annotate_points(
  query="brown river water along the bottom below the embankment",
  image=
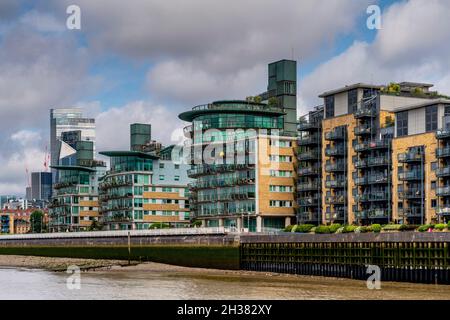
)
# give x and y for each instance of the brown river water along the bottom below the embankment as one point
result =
(25, 284)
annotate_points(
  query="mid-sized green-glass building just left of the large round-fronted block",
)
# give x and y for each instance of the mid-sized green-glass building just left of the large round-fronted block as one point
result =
(144, 186)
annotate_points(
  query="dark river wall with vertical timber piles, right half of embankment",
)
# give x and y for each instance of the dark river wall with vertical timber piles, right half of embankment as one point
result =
(404, 256)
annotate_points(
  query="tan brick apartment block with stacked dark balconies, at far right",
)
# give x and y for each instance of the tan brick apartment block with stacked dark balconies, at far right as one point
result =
(373, 166)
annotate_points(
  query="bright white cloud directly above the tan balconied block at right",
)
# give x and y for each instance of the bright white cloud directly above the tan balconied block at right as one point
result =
(412, 46)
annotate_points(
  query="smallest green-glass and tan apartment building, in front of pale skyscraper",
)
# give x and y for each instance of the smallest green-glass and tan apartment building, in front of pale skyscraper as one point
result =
(75, 204)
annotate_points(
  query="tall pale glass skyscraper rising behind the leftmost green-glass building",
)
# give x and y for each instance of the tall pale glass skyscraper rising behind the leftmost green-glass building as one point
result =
(68, 120)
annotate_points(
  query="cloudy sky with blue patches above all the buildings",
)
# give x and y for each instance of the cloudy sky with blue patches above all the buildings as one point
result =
(148, 60)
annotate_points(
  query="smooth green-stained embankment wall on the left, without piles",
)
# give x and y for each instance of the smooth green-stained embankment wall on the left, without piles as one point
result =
(208, 251)
